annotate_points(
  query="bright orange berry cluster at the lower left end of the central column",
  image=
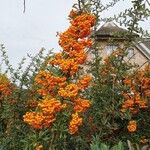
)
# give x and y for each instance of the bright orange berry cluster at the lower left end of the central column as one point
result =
(46, 115)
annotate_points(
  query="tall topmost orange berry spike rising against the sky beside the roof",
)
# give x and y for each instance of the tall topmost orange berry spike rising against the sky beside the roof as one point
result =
(74, 41)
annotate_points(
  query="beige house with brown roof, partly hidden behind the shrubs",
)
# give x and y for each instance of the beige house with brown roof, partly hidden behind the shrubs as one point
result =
(109, 36)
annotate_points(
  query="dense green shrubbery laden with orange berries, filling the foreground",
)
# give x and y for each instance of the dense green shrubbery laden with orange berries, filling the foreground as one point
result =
(62, 101)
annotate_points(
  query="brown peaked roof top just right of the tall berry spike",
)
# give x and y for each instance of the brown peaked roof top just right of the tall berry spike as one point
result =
(111, 30)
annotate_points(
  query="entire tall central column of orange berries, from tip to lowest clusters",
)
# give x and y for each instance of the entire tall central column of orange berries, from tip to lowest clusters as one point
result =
(66, 87)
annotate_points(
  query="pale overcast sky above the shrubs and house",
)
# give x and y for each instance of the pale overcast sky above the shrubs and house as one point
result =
(28, 32)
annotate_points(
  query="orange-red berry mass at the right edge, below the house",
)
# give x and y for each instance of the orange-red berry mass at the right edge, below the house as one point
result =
(138, 94)
